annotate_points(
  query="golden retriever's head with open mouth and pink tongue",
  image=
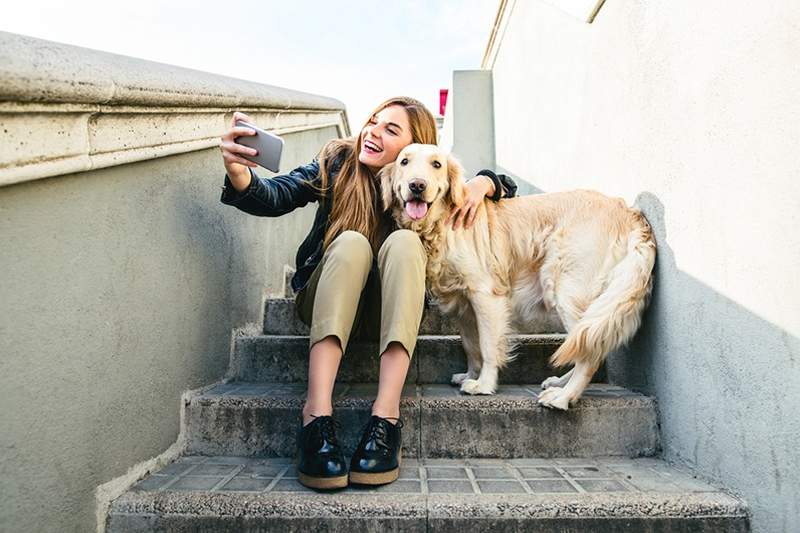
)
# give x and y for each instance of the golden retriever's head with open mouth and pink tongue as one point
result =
(422, 185)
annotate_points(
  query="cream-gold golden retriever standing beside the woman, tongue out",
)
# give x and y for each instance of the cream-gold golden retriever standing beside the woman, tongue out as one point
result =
(580, 254)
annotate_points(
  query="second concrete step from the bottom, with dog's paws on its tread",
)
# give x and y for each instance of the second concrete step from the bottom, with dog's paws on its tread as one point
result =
(261, 419)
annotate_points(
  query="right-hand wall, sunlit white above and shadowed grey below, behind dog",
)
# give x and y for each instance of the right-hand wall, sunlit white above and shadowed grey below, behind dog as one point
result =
(692, 108)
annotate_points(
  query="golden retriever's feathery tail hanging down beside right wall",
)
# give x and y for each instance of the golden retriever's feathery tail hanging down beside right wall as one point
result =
(614, 316)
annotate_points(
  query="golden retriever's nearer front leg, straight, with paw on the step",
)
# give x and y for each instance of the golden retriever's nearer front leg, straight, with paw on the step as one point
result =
(492, 317)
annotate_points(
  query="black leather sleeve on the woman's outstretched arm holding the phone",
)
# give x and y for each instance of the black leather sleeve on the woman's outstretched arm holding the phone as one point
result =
(272, 197)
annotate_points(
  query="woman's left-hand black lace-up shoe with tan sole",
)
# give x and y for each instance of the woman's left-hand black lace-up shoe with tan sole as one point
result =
(321, 464)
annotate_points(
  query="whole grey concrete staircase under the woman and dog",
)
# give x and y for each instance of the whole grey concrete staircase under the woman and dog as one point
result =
(484, 463)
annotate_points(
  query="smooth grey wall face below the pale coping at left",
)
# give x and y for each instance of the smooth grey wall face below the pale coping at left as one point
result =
(120, 290)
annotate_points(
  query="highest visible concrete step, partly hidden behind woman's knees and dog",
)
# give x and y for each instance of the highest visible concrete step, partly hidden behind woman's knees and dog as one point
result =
(280, 318)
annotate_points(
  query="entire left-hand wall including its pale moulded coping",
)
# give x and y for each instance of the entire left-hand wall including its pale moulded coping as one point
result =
(122, 286)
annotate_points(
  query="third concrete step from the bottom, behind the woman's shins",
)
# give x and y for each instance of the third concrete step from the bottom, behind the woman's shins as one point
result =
(284, 358)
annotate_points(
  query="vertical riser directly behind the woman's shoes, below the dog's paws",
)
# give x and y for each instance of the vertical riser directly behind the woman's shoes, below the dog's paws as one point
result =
(434, 431)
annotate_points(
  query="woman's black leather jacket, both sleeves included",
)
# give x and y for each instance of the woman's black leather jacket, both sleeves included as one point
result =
(272, 197)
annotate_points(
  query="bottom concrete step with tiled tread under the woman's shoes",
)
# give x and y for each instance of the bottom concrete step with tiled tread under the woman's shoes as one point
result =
(234, 494)
